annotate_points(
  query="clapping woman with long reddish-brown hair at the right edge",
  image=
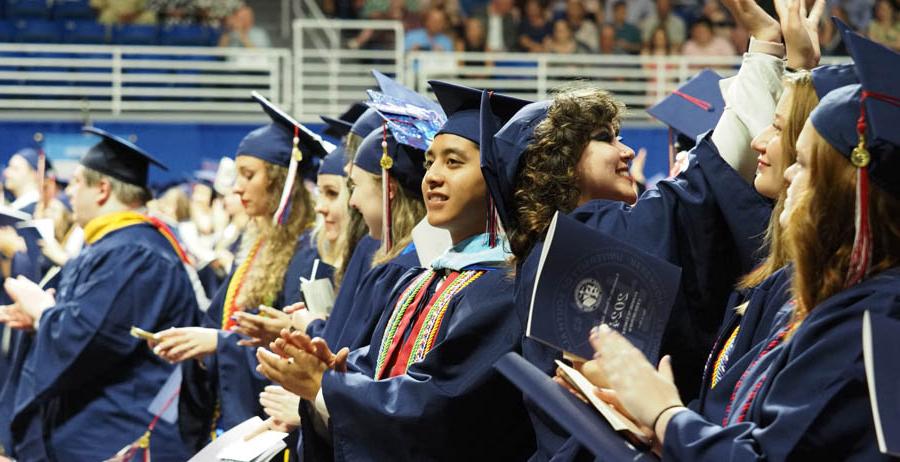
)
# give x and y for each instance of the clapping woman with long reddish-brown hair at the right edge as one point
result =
(804, 396)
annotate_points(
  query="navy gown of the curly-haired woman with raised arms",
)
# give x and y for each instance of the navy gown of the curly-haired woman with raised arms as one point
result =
(708, 221)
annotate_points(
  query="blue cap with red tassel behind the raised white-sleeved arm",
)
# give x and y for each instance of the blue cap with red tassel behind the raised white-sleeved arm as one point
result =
(694, 108)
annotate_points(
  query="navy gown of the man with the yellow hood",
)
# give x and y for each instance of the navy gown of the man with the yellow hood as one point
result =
(86, 384)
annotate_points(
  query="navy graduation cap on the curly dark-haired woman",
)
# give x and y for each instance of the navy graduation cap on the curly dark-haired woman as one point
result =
(507, 128)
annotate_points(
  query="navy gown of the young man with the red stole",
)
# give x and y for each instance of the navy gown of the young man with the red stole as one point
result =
(450, 406)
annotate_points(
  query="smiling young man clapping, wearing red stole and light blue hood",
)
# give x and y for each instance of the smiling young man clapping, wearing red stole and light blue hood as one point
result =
(425, 388)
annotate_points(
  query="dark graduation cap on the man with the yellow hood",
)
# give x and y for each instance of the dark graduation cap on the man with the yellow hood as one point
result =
(119, 158)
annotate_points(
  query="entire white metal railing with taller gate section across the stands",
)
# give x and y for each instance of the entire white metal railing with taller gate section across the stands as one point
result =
(326, 70)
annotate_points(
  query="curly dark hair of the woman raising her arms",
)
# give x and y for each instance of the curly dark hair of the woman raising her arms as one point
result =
(547, 180)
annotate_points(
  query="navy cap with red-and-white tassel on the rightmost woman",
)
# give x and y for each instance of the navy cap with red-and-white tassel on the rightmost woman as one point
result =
(860, 122)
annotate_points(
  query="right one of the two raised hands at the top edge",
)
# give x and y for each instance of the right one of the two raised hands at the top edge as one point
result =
(801, 31)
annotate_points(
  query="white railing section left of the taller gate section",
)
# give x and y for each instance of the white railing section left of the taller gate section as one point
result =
(140, 82)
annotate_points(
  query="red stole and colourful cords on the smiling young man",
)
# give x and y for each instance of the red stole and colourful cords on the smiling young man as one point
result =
(399, 351)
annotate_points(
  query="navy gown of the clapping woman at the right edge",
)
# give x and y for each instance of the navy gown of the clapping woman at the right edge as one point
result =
(811, 398)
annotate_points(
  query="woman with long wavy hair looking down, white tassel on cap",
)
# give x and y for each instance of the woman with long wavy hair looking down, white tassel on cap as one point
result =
(219, 389)
